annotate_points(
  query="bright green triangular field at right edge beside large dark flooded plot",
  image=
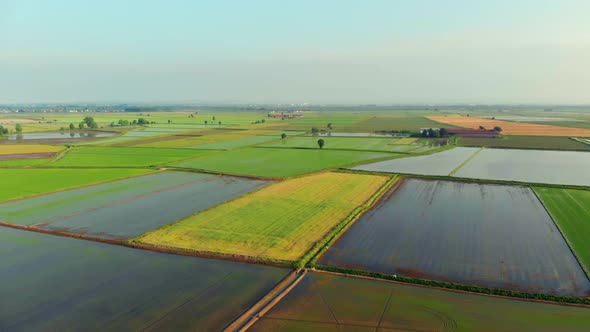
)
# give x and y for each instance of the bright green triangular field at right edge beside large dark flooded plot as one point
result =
(571, 211)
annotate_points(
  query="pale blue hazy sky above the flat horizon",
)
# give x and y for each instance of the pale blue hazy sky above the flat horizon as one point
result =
(319, 52)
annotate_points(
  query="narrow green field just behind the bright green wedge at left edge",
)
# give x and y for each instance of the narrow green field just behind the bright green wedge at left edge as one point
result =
(122, 157)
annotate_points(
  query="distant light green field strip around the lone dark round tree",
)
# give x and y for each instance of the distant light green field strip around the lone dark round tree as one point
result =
(344, 143)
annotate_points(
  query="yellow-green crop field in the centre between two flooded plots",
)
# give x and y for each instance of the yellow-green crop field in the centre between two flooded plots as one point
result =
(280, 222)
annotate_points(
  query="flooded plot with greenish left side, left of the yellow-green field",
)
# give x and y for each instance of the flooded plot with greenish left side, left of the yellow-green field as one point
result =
(127, 208)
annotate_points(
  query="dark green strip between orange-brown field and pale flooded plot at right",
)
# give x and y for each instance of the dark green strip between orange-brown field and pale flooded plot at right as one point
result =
(525, 142)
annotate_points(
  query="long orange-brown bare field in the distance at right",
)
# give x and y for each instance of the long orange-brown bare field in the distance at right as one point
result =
(511, 128)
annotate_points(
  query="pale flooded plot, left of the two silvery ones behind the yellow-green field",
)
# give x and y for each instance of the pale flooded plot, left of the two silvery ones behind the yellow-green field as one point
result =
(441, 163)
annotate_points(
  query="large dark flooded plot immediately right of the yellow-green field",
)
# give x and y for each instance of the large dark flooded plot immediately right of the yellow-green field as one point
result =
(486, 235)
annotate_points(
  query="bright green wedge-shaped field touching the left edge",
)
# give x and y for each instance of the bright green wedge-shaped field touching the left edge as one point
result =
(18, 183)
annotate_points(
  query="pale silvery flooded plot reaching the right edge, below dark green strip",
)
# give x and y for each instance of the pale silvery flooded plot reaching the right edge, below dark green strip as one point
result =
(554, 167)
